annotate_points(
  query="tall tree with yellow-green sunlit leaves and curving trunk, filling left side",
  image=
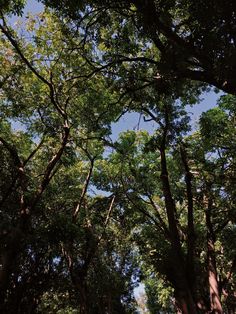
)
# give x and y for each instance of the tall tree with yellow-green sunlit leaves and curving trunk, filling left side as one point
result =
(51, 227)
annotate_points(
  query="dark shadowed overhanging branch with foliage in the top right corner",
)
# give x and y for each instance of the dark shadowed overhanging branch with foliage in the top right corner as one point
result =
(194, 41)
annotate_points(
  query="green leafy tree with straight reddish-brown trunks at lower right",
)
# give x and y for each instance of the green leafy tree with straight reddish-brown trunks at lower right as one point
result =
(174, 207)
